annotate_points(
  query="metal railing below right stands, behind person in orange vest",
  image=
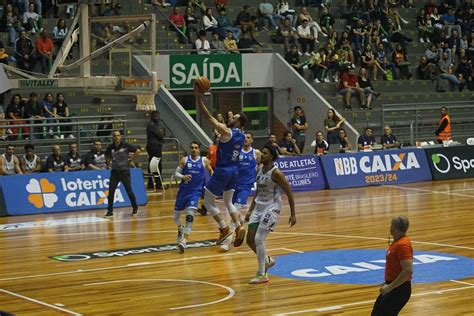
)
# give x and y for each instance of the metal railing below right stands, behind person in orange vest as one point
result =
(418, 121)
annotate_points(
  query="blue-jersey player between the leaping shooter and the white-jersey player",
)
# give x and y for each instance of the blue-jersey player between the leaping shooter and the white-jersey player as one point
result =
(248, 160)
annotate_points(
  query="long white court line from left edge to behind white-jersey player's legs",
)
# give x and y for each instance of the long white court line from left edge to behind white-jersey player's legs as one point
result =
(128, 265)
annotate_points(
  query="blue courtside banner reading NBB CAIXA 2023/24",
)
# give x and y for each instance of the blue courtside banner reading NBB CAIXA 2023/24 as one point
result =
(375, 168)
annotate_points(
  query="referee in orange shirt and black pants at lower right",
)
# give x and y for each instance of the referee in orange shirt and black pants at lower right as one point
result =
(396, 290)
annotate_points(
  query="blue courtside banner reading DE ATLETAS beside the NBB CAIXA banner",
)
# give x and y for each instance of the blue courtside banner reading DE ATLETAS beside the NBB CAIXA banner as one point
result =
(304, 173)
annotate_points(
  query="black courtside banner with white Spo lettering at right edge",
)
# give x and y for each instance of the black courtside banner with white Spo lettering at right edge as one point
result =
(451, 162)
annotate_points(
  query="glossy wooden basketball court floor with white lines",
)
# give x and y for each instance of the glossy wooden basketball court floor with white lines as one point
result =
(206, 281)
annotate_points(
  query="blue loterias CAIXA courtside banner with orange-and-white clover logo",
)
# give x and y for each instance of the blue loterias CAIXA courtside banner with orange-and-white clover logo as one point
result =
(65, 191)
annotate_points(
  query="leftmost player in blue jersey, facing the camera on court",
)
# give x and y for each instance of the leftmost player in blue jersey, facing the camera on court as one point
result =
(191, 171)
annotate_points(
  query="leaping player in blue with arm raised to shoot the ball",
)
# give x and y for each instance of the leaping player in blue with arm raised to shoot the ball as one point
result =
(222, 182)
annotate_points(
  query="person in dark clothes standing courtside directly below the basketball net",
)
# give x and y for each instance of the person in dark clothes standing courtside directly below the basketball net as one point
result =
(155, 133)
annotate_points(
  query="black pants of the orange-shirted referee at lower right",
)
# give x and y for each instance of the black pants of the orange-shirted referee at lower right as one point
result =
(392, 303)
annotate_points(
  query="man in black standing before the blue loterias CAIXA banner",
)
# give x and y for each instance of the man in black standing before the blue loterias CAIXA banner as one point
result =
(118, 157)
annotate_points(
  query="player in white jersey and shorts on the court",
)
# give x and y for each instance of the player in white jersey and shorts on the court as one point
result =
(265, 210)
